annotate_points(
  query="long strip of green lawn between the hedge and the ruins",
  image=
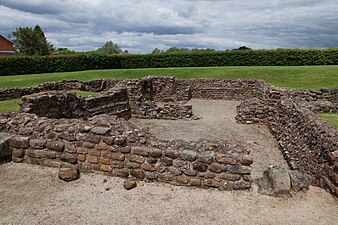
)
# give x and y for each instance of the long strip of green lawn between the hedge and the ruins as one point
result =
(300, 77)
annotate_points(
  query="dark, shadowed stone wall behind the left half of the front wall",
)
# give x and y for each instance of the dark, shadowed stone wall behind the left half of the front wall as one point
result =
(69, 105)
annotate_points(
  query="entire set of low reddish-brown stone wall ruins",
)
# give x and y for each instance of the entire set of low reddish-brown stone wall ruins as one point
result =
(61, 129)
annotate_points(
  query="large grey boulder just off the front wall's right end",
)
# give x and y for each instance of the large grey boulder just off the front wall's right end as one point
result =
(275, 182)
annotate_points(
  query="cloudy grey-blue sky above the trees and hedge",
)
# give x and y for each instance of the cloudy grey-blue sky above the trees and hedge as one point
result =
(139, 26)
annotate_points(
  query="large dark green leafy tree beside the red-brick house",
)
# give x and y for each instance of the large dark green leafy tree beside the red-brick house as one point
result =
(29, 41)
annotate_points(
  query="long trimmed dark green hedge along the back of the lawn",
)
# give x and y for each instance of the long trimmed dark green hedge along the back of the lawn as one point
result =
(284, 57)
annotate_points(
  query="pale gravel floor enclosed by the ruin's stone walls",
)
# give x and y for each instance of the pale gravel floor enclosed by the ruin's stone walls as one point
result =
(218, 122)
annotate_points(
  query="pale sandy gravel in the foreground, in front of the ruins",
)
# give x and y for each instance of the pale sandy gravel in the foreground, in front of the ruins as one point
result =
(34, 195)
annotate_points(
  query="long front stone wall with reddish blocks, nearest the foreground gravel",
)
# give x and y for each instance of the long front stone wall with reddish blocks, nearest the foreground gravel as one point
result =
(117, 147)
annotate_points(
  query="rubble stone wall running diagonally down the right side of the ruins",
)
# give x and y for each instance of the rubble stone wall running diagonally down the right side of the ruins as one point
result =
(307, 143)
